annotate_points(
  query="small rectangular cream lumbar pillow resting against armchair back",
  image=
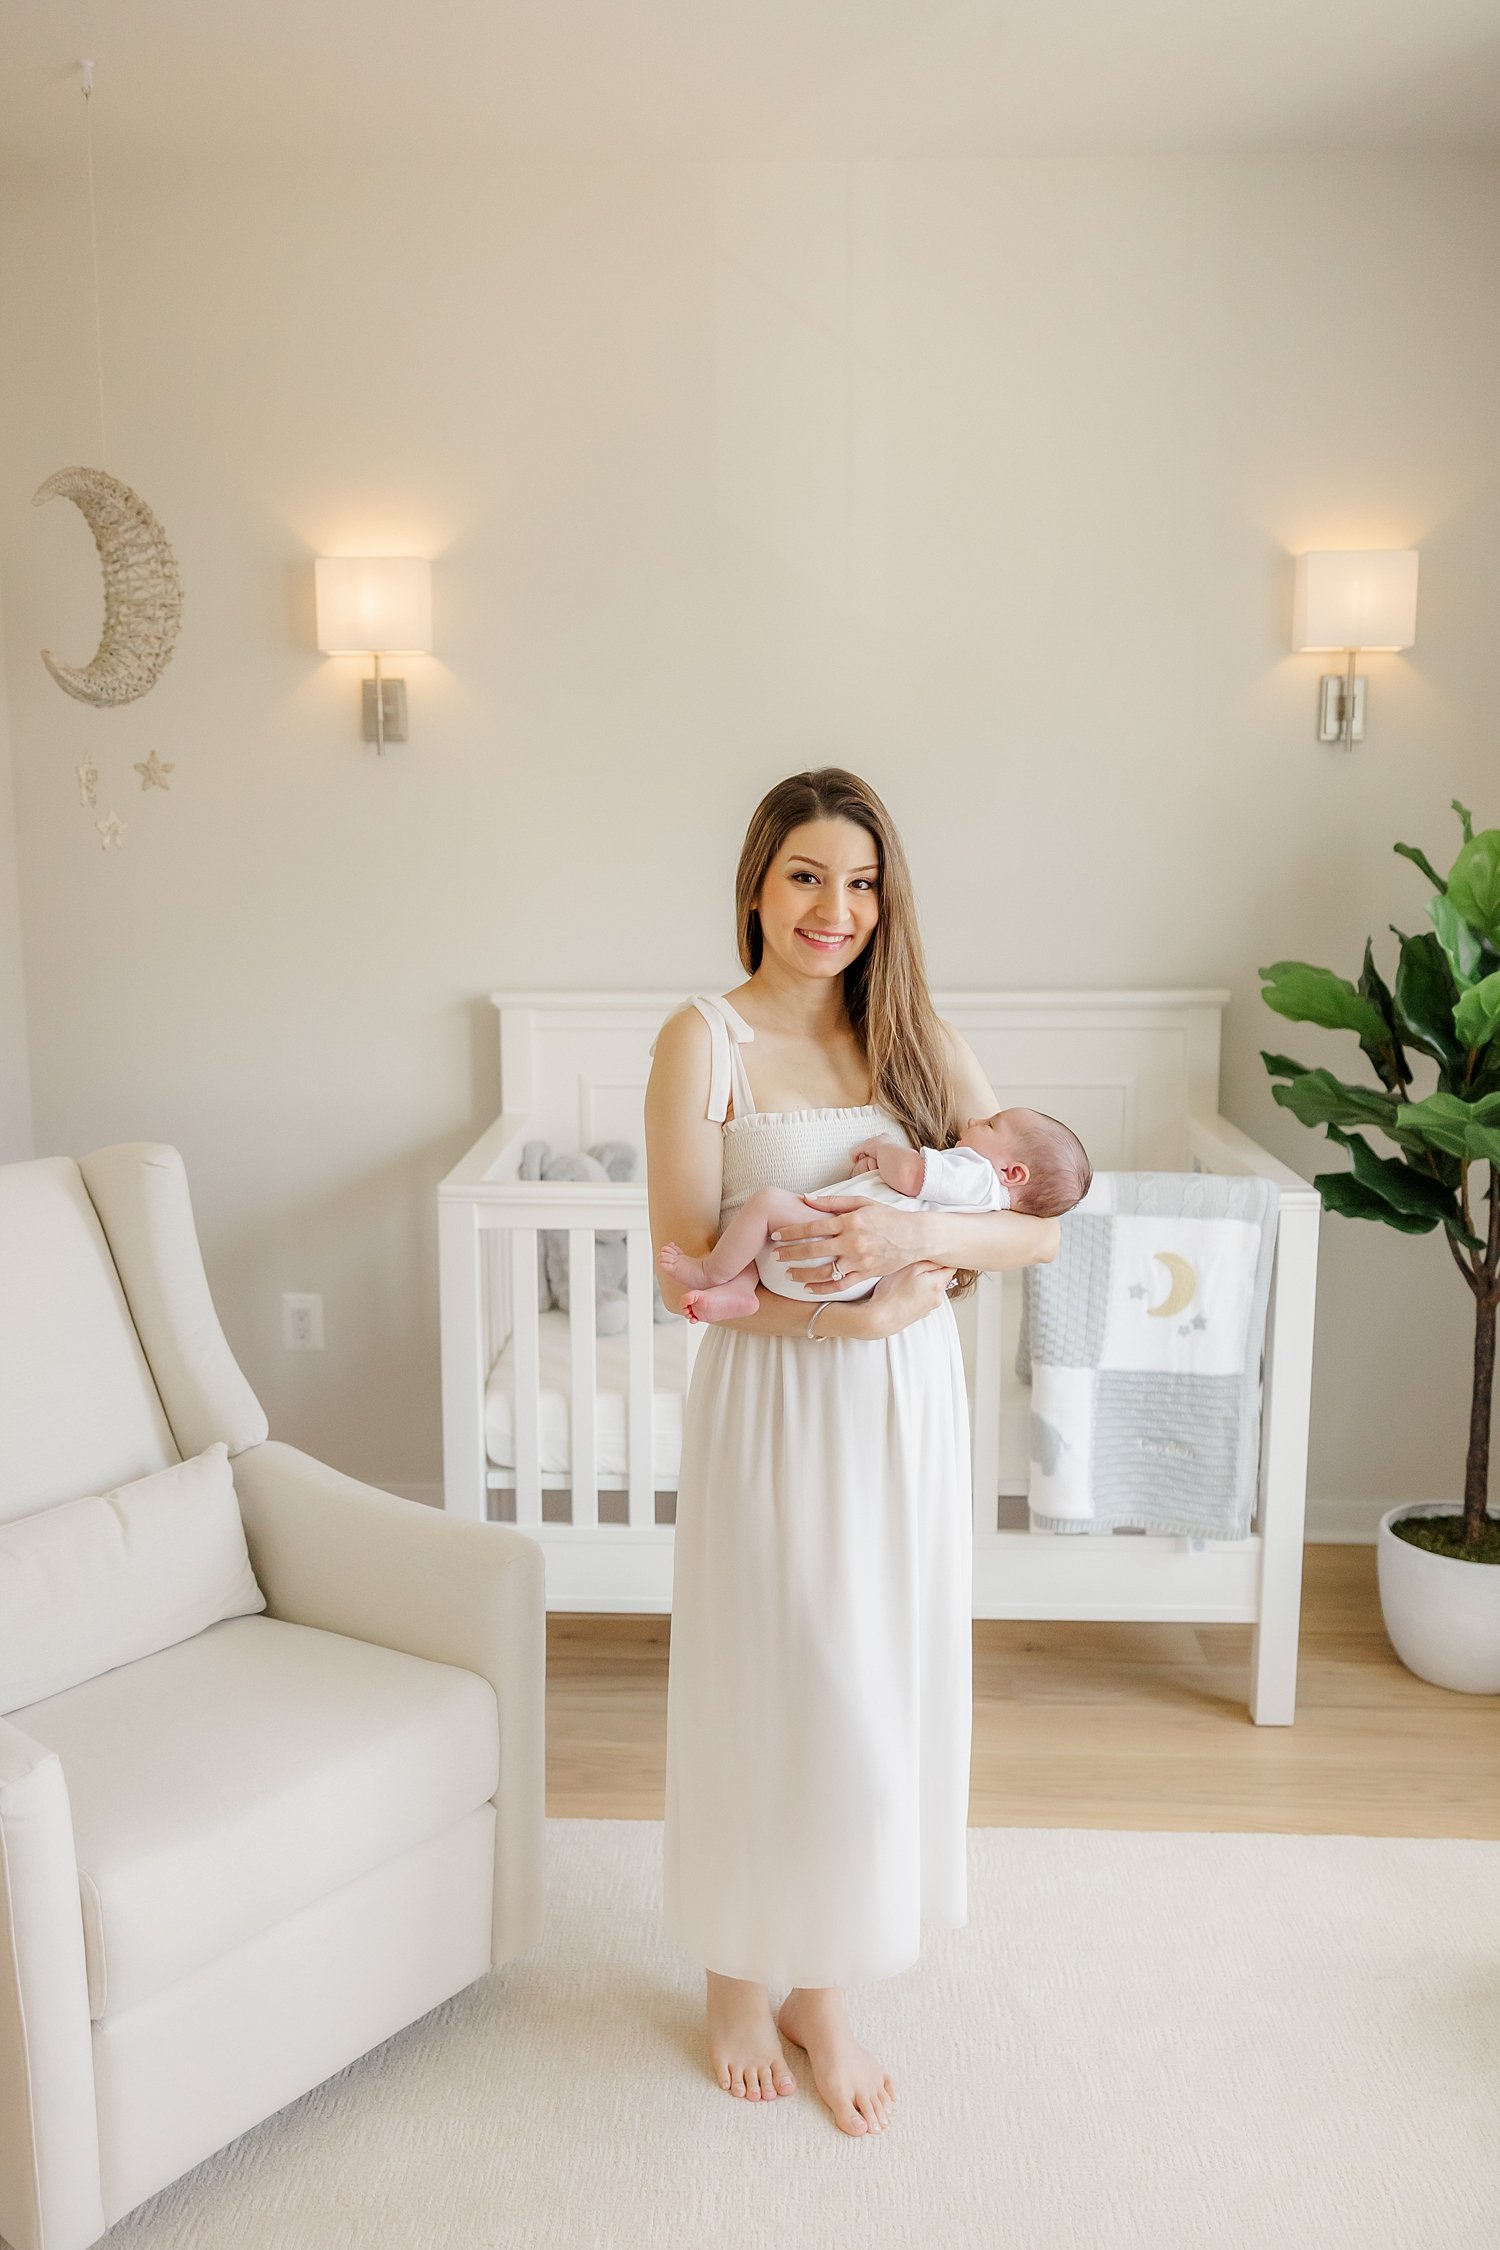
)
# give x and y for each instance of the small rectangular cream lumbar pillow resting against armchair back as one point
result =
(98, 1583)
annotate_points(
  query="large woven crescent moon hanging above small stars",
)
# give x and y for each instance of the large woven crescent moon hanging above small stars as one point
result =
(143, 595)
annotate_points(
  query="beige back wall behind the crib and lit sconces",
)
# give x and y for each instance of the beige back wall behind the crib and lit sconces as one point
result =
(977, 476)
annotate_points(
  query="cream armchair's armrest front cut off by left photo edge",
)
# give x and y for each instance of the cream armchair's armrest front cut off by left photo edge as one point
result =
(48, 2127)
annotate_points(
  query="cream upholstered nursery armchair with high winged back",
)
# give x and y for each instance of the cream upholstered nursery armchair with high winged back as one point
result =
(233, 1866)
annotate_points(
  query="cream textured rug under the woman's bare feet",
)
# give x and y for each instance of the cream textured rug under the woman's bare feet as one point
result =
(1139, 2040)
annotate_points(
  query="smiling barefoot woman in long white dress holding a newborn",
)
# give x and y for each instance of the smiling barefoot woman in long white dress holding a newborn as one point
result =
(820, 1686)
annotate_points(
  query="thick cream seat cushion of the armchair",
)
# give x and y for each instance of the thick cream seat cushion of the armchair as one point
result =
(244, 1774)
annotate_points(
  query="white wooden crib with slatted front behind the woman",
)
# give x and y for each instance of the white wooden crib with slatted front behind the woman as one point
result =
(575, 1437)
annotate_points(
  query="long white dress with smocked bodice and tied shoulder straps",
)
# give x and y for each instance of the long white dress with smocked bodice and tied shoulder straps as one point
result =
(820, 1689)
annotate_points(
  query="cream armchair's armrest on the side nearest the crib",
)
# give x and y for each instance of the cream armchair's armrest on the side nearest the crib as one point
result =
(352, 1560)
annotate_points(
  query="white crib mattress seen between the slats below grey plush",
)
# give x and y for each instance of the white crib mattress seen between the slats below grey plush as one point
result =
(613, 1392)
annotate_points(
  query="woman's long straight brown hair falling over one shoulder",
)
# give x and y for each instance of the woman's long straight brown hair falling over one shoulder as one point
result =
(885, 989)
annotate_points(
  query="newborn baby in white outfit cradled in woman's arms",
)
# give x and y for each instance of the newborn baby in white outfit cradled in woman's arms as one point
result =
(1020, 1160)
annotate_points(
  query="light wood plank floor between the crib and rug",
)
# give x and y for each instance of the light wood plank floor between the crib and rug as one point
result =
(1130, 1727)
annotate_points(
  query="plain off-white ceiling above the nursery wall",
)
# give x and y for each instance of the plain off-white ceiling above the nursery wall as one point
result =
(746, 78)
